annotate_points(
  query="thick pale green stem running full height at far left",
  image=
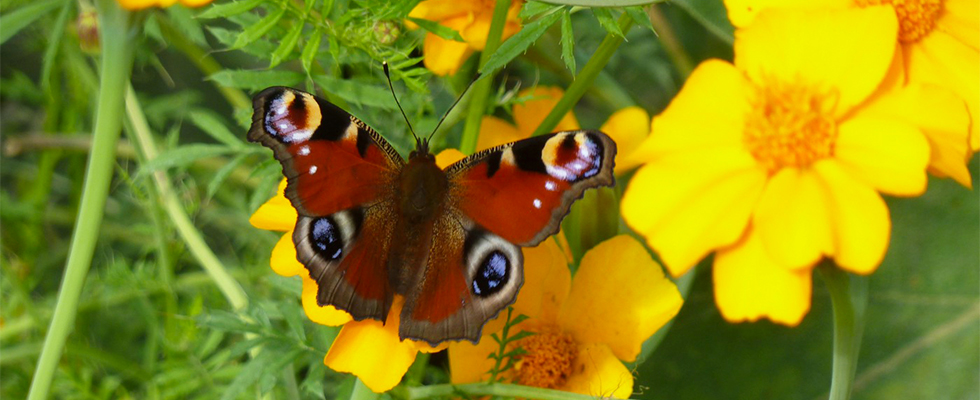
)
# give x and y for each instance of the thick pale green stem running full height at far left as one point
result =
(118, 42)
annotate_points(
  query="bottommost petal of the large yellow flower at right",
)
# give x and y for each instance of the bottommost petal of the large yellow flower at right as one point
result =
(749, 285)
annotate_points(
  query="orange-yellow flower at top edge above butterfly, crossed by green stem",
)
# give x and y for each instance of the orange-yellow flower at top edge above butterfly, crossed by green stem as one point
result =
(471, 18)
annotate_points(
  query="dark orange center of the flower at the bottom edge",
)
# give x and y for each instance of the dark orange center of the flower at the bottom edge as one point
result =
(547, 361)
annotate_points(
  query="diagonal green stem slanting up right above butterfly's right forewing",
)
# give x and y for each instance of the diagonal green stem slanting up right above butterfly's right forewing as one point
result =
(585, 78)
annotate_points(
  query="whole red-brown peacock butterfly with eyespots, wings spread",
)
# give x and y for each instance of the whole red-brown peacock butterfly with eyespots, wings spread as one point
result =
(372, 224)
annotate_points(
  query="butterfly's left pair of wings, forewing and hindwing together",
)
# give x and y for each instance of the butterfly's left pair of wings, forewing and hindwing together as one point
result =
(339, 177)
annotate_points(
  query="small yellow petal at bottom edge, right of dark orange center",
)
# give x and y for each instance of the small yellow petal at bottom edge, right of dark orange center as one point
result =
(597, 373)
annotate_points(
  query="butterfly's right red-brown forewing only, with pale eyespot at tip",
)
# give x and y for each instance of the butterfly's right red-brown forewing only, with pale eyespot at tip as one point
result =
(522, 190)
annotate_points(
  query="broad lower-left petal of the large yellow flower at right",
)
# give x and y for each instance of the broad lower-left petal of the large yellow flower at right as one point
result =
(687, 206)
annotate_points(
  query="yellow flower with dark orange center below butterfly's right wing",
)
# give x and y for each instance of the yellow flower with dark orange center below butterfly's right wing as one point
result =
(583, 327)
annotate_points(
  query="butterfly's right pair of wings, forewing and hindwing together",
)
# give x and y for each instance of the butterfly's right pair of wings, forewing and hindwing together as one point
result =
(501, 198)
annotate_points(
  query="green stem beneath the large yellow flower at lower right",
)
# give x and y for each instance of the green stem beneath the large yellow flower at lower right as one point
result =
(849, 295)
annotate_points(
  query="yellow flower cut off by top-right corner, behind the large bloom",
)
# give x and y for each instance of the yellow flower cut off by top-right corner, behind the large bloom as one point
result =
(939, 44)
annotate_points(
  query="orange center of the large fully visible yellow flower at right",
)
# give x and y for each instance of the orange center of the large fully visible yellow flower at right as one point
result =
(790, 124)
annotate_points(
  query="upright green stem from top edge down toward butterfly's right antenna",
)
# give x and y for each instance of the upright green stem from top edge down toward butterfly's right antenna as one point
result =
(481, 89)
